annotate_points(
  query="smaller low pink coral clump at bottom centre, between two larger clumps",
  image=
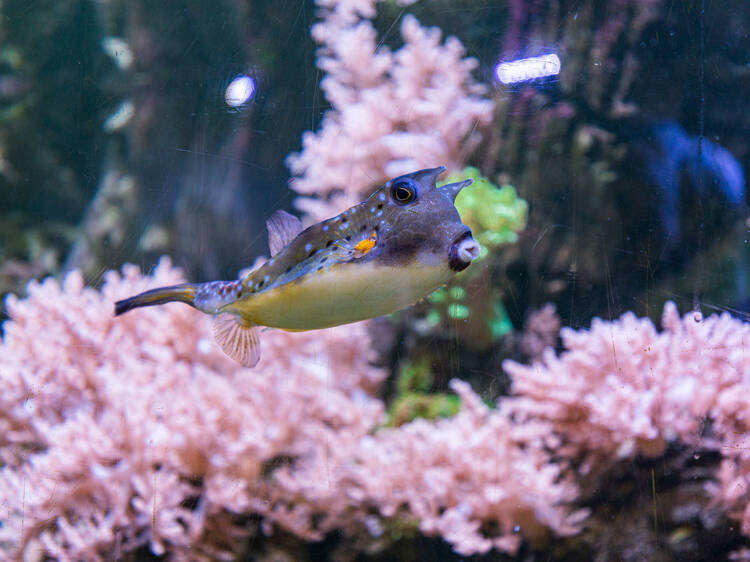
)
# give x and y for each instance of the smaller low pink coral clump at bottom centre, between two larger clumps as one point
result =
(476, 479)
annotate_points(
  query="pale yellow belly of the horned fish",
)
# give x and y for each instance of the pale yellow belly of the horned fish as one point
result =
(341, 294)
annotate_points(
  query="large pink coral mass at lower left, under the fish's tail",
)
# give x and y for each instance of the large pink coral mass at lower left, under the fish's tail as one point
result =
(111, 428)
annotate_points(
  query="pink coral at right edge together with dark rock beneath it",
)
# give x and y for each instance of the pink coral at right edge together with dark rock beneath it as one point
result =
(628, 402)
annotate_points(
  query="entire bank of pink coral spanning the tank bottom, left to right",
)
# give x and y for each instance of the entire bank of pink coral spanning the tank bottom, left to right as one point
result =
(134, 433)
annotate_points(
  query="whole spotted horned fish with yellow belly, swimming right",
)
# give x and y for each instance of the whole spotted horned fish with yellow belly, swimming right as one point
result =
(375, 258)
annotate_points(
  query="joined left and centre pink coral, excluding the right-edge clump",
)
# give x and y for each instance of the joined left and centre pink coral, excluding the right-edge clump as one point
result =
(120, 433)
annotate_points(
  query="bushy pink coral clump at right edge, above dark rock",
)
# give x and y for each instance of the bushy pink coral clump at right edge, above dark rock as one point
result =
(623, 388)
